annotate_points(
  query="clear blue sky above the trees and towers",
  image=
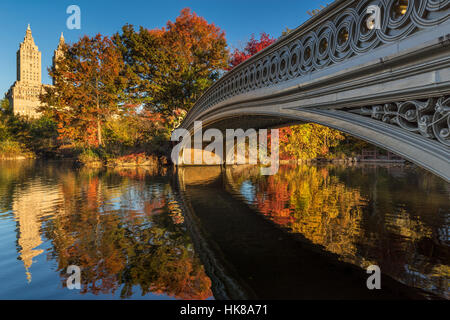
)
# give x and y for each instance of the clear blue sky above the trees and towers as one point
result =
(238, 18)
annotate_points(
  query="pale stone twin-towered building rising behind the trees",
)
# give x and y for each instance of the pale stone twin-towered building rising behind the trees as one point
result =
(24, 94)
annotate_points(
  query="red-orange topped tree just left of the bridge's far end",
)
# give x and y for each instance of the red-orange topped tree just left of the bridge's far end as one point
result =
(198, 53)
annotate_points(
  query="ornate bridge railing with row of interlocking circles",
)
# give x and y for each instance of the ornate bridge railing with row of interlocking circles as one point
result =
(337, 33)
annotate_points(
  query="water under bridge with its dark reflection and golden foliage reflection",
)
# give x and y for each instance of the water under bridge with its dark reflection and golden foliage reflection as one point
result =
(329, 227)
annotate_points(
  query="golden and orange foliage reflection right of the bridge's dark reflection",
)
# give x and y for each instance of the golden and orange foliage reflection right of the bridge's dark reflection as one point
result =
(394, 216)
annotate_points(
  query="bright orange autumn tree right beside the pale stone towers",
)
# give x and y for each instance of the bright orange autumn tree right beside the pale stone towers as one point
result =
(89, 85)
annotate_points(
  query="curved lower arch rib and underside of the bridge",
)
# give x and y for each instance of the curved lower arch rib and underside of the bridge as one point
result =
(429, 154)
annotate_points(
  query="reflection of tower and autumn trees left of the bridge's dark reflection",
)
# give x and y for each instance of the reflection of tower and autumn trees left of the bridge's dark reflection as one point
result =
(123, 228)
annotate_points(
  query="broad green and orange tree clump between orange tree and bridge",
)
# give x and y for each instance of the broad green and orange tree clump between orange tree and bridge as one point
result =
(173, 66)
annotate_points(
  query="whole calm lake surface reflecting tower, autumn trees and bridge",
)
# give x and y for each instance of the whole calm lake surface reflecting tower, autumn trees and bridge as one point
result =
(205, 233)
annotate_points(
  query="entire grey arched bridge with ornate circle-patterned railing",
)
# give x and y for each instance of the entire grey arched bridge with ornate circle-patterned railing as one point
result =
(388, 84)
